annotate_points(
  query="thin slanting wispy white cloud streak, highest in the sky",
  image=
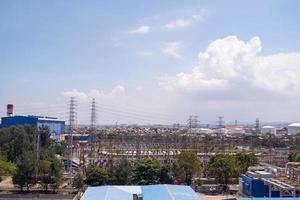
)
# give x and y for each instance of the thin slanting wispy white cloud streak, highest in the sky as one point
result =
(182, 23)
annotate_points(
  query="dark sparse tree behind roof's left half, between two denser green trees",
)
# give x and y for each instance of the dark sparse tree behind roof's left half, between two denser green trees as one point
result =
(119, 174)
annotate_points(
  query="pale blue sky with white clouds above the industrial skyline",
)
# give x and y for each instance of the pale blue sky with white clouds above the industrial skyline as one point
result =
(150, 62)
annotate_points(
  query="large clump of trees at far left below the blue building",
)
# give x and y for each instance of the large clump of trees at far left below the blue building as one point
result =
(17, 157)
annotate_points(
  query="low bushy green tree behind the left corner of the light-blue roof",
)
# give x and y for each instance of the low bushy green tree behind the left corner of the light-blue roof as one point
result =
(96, 176)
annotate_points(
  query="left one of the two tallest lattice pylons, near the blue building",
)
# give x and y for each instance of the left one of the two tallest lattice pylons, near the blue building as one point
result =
(72, 120)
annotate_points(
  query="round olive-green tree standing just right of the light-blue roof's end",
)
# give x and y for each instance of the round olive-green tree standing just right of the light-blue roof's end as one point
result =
(223, 167)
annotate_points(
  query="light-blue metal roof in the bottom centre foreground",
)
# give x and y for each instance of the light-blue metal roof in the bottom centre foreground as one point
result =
(148, 192)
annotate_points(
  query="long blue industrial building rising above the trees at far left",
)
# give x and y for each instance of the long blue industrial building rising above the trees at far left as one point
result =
(55, 126)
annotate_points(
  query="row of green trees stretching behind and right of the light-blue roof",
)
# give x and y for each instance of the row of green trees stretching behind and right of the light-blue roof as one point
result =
(183, 170)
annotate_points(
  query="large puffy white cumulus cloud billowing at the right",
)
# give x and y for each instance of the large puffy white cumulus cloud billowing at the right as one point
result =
(228, 63)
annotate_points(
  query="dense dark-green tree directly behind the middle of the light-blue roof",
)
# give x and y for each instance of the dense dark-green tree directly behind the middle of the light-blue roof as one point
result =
(145, 172)
